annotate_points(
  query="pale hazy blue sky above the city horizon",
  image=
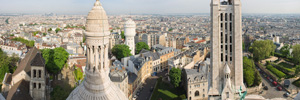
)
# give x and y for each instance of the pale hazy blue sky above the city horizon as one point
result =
(144, 6)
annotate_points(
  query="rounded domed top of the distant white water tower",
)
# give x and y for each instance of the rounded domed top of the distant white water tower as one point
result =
(129, 27)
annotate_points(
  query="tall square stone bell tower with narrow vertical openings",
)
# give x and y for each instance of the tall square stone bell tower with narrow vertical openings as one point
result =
(226, 75)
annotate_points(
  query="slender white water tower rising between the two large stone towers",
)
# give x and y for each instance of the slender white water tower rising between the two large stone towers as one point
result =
(129, 33)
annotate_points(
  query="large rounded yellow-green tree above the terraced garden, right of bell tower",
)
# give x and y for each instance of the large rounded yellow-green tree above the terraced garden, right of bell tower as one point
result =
(262, 49)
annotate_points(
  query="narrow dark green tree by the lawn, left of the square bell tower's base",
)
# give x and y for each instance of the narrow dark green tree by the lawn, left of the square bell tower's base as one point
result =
(175, 76)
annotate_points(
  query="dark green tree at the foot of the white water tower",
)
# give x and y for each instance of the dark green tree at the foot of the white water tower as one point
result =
(121, 51)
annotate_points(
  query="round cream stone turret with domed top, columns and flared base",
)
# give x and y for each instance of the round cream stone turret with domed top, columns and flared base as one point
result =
(97, 85)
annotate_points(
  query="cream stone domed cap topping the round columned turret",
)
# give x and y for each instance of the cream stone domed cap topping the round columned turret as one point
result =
(97, 21)
